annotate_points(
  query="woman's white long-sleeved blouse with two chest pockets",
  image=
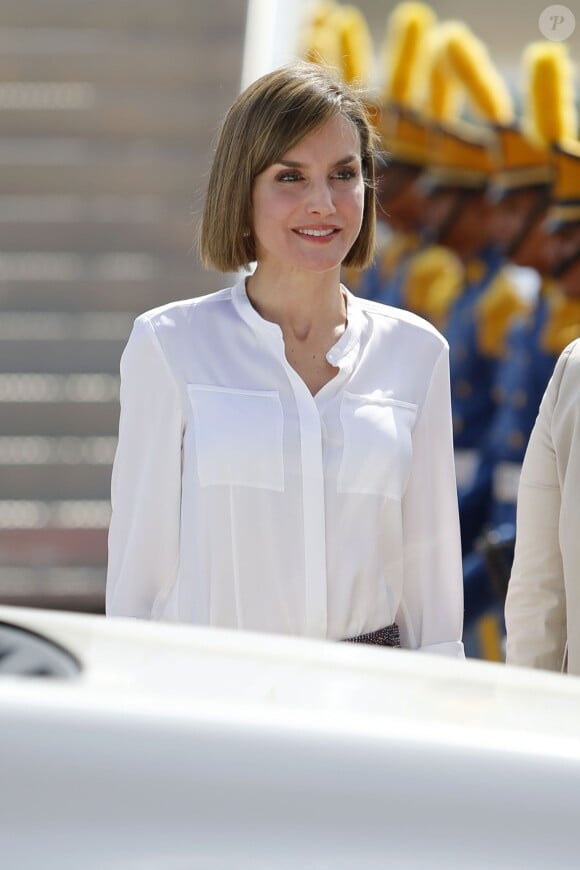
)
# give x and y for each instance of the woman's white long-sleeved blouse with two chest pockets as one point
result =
(242, 501)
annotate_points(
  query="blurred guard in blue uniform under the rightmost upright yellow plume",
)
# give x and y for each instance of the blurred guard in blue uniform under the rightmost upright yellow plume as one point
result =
(522, 188)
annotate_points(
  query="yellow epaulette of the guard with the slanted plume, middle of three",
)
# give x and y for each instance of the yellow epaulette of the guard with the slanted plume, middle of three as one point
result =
(495, 312)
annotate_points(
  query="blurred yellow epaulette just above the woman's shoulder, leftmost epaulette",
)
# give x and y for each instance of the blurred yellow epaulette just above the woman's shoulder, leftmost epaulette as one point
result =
(434, 279)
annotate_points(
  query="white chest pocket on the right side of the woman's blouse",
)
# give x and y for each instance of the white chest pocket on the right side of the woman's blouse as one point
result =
(377, 444)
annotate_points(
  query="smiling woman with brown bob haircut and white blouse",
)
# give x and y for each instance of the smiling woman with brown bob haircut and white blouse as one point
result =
(285, 457)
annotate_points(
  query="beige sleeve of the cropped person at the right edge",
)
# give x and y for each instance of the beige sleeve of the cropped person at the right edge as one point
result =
(535, 605)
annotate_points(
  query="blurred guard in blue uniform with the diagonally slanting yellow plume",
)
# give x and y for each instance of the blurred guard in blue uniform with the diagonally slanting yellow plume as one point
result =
(460, 215)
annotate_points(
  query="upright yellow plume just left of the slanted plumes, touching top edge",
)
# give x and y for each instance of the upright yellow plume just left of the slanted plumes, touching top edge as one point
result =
(403, 55)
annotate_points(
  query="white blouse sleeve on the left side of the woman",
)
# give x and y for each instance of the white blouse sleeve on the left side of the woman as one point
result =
(146, 481)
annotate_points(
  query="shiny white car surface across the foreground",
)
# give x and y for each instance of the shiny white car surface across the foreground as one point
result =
(188, 747)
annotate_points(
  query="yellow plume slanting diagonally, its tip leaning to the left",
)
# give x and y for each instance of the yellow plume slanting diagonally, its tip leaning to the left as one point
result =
(469, 61)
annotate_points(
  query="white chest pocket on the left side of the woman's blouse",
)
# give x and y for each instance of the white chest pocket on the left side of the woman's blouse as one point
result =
(239, 436)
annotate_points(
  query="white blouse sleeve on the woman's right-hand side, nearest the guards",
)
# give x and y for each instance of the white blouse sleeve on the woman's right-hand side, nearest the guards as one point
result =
(431, 613)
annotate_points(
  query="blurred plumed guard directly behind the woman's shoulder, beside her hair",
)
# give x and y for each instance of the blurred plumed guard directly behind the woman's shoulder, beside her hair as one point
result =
(411, 272)
